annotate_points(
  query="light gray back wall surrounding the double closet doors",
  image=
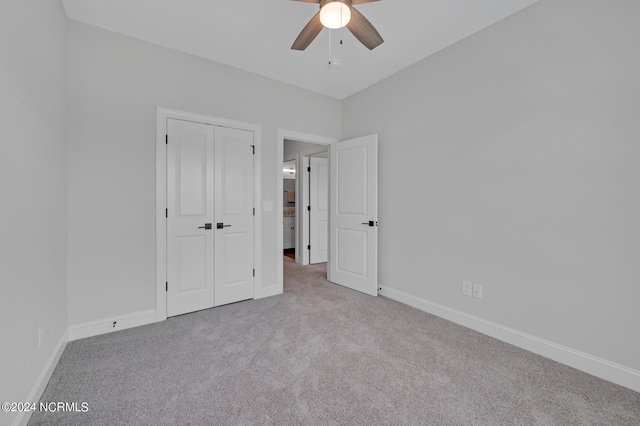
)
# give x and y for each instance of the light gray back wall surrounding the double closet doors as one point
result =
(115, 85)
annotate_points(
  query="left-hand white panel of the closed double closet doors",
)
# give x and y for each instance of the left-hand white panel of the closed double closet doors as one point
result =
(190, 205)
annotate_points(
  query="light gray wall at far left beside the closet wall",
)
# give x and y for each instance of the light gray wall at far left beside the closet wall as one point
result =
(33, 181)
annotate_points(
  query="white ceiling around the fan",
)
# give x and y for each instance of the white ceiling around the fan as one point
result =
(256, 35)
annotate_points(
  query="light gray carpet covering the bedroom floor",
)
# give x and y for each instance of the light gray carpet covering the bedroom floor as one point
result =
(321, 354)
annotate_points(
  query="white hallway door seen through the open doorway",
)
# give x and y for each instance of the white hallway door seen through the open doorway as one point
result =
(319, 212)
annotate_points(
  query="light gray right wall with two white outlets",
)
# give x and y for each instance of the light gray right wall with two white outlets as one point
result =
(511, 160)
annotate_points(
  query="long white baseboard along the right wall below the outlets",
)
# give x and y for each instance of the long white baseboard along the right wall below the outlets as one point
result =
(590, 364)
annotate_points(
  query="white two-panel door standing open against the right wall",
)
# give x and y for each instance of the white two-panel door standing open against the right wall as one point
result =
(353, 214)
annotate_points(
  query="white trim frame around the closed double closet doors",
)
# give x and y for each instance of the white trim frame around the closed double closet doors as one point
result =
(162, 114)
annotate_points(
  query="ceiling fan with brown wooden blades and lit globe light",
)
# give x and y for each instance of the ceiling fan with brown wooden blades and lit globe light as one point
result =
(337, 14)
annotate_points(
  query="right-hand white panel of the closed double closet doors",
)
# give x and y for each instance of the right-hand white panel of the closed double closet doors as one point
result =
(233, 215)
